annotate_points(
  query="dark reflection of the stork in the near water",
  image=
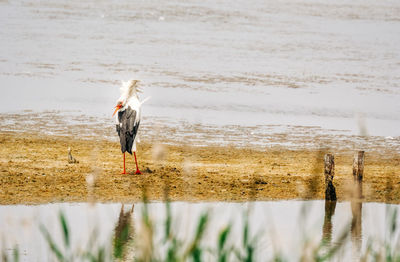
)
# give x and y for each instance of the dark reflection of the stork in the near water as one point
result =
(123, 233)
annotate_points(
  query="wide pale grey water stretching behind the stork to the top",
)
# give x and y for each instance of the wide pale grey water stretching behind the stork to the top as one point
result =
(334, 66)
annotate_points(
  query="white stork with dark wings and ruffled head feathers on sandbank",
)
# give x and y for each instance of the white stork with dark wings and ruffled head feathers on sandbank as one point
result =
(128, 114)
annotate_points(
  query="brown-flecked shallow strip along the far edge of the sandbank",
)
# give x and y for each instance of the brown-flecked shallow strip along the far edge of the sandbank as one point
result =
(161, 130)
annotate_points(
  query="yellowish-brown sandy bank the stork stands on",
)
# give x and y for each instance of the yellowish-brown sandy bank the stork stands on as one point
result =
(34, 169)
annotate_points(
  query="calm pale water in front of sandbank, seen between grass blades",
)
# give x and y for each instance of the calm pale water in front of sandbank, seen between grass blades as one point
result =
(281, 225)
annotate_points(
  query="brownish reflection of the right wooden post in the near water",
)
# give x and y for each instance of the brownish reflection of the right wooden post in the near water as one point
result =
(356, 229)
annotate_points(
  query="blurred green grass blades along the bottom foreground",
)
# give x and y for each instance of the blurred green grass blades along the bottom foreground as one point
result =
(143, 246)
